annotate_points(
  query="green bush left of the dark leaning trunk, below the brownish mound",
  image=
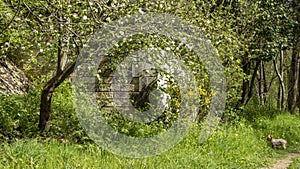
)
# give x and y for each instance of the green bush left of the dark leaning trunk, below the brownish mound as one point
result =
(19, 114)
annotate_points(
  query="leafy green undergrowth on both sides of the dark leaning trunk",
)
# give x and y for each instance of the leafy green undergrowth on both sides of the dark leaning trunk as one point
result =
(20, 115)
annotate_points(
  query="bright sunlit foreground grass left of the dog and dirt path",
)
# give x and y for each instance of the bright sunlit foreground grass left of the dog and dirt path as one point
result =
(224, 149)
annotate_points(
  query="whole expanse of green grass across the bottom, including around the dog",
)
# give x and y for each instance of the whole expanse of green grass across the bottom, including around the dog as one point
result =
(239, 146)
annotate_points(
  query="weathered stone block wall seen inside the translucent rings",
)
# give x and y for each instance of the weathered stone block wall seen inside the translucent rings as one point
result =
(119, 88)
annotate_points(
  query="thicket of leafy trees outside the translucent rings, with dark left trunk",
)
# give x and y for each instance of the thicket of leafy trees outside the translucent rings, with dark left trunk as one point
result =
(258, 42)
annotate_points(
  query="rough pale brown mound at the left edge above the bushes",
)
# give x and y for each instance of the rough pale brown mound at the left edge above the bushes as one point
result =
(12, 79)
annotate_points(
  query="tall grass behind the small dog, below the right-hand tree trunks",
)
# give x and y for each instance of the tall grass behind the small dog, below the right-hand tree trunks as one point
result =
(280, 124)
